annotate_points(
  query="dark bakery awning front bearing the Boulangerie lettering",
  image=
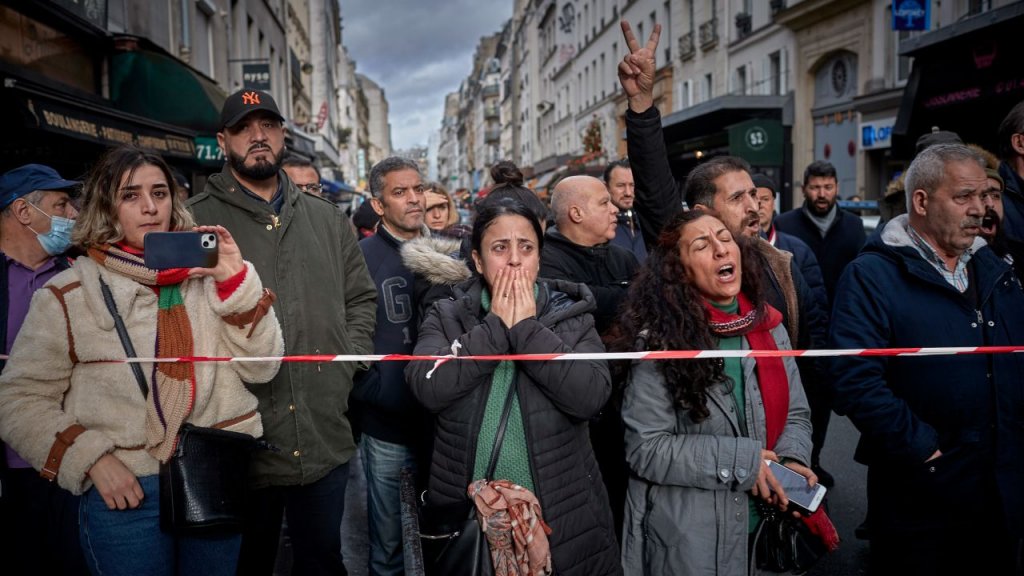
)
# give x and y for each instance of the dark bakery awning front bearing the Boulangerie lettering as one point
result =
(92, 120)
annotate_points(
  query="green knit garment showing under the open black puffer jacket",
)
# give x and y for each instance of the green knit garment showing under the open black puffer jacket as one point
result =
(514, 462)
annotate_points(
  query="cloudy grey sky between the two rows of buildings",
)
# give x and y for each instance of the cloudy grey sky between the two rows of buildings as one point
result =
(418, 51)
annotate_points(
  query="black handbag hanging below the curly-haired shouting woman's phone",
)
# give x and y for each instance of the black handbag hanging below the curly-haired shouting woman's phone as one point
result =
(784, 544)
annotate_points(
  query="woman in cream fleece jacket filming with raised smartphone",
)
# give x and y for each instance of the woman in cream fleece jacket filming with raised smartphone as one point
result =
(83, 420)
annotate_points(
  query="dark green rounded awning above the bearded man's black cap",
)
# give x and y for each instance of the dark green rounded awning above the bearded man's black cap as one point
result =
(149, 83)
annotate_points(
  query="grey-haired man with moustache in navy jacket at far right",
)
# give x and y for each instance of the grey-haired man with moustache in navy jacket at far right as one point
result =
(941, 435)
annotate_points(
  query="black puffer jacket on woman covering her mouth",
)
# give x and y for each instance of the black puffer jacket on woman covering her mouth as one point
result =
(557, 398)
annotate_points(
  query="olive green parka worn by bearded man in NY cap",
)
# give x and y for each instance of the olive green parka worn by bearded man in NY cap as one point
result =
(327, 304)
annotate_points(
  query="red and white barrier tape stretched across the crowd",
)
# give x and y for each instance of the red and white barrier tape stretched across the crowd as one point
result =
(654, 355)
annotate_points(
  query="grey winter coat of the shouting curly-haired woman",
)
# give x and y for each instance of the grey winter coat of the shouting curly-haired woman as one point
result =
(687, 509)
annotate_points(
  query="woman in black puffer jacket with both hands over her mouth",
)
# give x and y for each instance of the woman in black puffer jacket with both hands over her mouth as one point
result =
(507, 310)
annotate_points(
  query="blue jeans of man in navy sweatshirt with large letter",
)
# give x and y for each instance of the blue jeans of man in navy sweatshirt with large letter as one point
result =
(383, 463)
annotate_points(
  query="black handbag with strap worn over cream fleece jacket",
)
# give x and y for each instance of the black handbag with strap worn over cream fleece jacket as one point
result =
(203, 486)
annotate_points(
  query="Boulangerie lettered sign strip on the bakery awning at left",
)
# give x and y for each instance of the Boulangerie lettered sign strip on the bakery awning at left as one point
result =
(107, 132)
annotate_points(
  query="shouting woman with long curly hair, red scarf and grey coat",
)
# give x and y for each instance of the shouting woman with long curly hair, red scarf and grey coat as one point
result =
(700, 432)
